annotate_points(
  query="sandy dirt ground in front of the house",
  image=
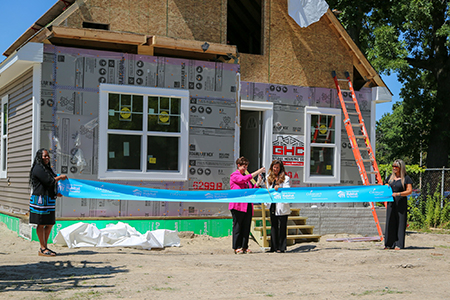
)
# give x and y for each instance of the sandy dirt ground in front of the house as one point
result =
(206, 268)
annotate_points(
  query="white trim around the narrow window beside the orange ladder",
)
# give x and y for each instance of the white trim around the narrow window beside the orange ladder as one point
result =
(336, 177)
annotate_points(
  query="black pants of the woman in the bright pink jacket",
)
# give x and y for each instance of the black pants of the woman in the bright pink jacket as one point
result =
(241, 227)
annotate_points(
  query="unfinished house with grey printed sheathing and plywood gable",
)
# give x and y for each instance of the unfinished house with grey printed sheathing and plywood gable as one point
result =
(167, 94)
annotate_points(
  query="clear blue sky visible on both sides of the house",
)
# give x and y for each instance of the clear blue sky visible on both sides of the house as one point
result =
(18, 16)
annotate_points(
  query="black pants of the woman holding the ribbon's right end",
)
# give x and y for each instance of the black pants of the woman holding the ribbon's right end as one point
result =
(396, 218)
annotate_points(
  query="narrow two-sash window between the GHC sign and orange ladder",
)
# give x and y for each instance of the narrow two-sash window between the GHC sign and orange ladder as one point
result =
(322, 145)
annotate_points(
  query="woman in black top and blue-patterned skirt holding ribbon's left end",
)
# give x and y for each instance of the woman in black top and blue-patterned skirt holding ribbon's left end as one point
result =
(42, 201)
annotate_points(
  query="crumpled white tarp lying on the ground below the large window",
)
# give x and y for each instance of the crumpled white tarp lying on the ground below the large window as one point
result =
(115, 235)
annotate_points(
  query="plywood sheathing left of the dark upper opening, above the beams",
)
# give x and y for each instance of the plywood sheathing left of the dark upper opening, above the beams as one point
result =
(203, 20)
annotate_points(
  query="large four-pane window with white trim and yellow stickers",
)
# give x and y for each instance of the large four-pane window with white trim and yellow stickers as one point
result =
(143, 133)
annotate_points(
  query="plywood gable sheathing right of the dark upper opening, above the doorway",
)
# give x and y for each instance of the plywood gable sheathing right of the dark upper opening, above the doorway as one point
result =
(295, 55)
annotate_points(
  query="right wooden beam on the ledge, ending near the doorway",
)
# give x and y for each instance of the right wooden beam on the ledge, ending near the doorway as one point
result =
(190, 45)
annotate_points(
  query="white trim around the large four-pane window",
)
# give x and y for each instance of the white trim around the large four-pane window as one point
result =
(180, 175)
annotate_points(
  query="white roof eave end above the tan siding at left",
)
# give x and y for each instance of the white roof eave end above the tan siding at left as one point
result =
(20, 61)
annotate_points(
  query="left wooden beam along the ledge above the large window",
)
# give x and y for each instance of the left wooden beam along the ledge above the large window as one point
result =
(98, 35)
